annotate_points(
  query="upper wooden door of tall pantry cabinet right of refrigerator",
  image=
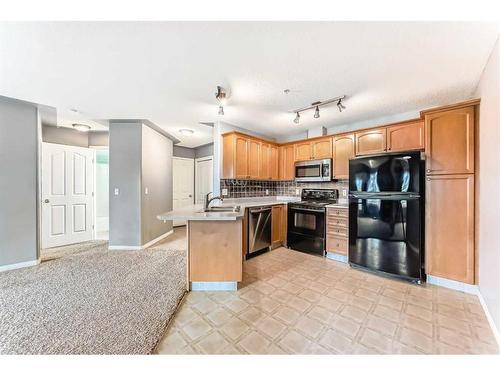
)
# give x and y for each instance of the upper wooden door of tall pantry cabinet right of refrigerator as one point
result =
(449, 141)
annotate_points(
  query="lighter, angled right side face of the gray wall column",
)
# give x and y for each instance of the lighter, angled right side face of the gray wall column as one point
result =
(157, 178)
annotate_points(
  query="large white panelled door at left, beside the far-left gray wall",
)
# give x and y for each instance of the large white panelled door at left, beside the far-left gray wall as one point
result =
(67, 194)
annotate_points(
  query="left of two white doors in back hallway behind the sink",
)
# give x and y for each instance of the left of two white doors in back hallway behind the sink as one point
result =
(183, 184)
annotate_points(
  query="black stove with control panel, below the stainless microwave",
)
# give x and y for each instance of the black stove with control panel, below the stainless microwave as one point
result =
(306, 220)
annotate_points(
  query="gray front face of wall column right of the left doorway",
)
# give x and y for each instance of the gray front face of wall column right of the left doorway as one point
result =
(125, 154)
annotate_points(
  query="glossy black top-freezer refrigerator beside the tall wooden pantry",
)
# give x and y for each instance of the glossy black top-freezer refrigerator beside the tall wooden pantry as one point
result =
(386, 214)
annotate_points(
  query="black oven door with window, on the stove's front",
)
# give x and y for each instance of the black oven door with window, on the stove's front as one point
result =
(306, 229)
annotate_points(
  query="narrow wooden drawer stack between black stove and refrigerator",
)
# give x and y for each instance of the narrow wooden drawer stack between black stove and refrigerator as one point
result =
(337, 227)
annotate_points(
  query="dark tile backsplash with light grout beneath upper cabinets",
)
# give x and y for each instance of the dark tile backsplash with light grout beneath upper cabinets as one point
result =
(251, 188)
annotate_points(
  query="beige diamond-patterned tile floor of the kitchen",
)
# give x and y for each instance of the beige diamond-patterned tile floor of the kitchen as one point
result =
(295, 303)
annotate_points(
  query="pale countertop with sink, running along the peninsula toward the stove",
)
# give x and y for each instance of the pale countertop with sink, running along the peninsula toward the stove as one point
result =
(195, 212)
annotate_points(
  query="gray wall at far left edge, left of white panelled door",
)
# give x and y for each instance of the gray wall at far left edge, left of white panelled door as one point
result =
(18, 181)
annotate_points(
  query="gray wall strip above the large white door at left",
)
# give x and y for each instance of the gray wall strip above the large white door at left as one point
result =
(72, 137)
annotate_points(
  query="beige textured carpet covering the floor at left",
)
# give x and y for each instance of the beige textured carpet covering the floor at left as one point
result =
(92, 301)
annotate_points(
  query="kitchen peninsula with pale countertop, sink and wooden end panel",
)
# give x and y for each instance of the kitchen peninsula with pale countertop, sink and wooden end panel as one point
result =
(216, 242)
